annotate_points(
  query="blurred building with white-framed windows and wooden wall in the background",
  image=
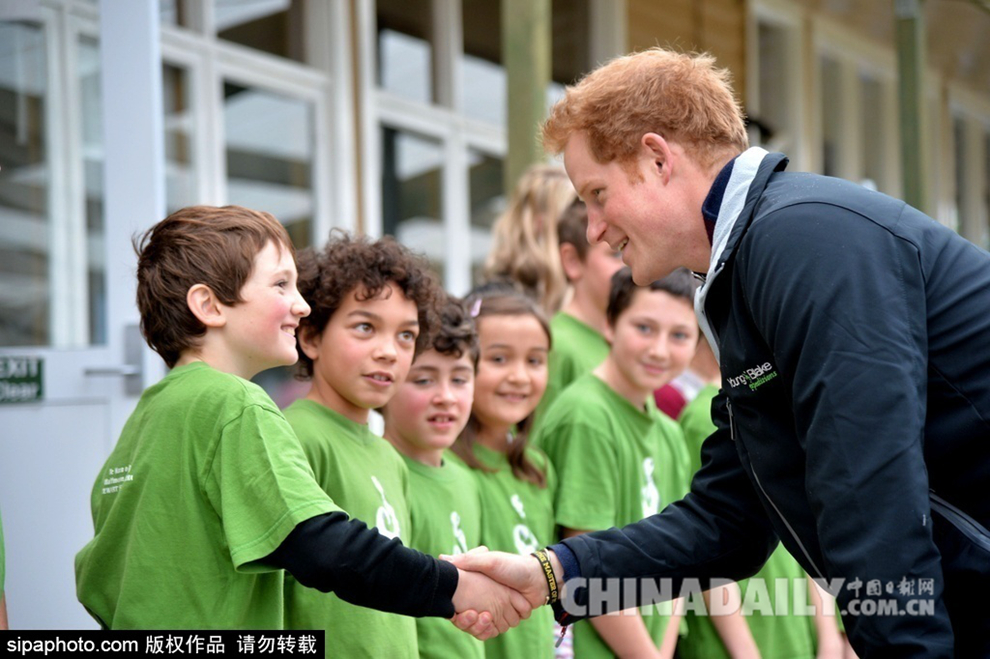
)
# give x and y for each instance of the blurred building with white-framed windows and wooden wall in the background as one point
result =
(387, 117)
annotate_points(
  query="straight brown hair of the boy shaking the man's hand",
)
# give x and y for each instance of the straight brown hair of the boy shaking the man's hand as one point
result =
(214, 246)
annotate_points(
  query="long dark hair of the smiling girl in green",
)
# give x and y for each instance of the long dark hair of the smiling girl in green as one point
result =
(500, 299)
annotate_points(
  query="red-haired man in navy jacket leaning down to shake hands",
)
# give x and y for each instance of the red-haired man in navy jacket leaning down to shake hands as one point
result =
(853, 340)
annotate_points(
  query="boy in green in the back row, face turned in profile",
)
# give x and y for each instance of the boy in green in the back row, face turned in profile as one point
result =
(578, 329)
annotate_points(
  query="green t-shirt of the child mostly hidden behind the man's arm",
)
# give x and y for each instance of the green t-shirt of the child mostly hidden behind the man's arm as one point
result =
(777, 636)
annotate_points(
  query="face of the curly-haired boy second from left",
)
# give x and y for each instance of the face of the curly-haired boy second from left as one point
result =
(364, 352)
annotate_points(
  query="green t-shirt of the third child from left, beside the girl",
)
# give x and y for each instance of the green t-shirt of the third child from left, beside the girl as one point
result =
(445, 507)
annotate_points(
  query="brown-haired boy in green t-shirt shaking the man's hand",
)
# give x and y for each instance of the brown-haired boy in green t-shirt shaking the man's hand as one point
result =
(207, 496)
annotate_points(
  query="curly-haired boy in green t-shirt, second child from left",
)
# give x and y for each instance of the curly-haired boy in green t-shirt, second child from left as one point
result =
(373, 307)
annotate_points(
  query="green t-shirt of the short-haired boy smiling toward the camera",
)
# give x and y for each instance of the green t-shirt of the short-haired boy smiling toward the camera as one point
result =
(616, 465)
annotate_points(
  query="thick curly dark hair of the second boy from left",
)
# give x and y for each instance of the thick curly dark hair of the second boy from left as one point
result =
(366, 268)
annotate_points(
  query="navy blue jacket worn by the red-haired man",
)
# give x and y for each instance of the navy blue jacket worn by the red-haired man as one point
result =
(853, 335)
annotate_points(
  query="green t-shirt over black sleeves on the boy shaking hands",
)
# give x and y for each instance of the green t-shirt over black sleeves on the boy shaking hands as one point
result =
(206, 480)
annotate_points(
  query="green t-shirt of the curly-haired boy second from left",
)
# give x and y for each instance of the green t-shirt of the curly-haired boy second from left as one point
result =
(368, 479)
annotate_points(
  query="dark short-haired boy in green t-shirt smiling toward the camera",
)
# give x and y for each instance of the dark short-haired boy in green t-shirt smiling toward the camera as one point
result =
(618, 458)
